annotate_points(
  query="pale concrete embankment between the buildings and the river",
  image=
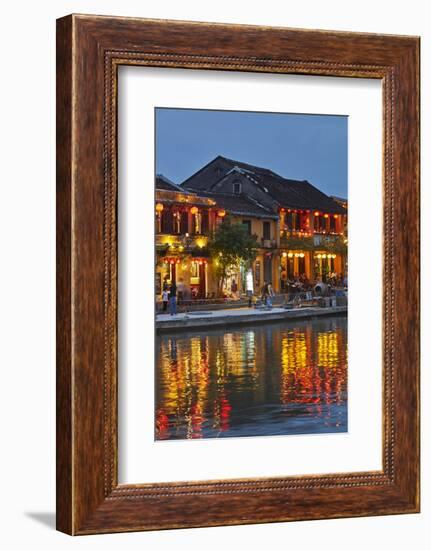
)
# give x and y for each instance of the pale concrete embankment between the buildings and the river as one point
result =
(240, 316)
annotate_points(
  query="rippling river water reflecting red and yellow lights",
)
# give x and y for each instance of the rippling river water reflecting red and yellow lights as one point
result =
(273, 379)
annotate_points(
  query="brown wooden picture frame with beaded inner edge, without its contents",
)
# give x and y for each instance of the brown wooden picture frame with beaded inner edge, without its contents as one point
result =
(89, 51)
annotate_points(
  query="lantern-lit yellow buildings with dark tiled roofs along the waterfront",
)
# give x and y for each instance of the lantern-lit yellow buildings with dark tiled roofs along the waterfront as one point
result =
(301, 232)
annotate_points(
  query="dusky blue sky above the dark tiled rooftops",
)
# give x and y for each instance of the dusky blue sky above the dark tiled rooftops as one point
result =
(303, 147)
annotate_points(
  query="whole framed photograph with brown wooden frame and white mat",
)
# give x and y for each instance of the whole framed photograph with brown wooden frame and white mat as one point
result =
(237, 274)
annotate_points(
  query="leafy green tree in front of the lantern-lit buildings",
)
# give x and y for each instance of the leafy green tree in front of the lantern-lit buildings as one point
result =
(230, 247)
